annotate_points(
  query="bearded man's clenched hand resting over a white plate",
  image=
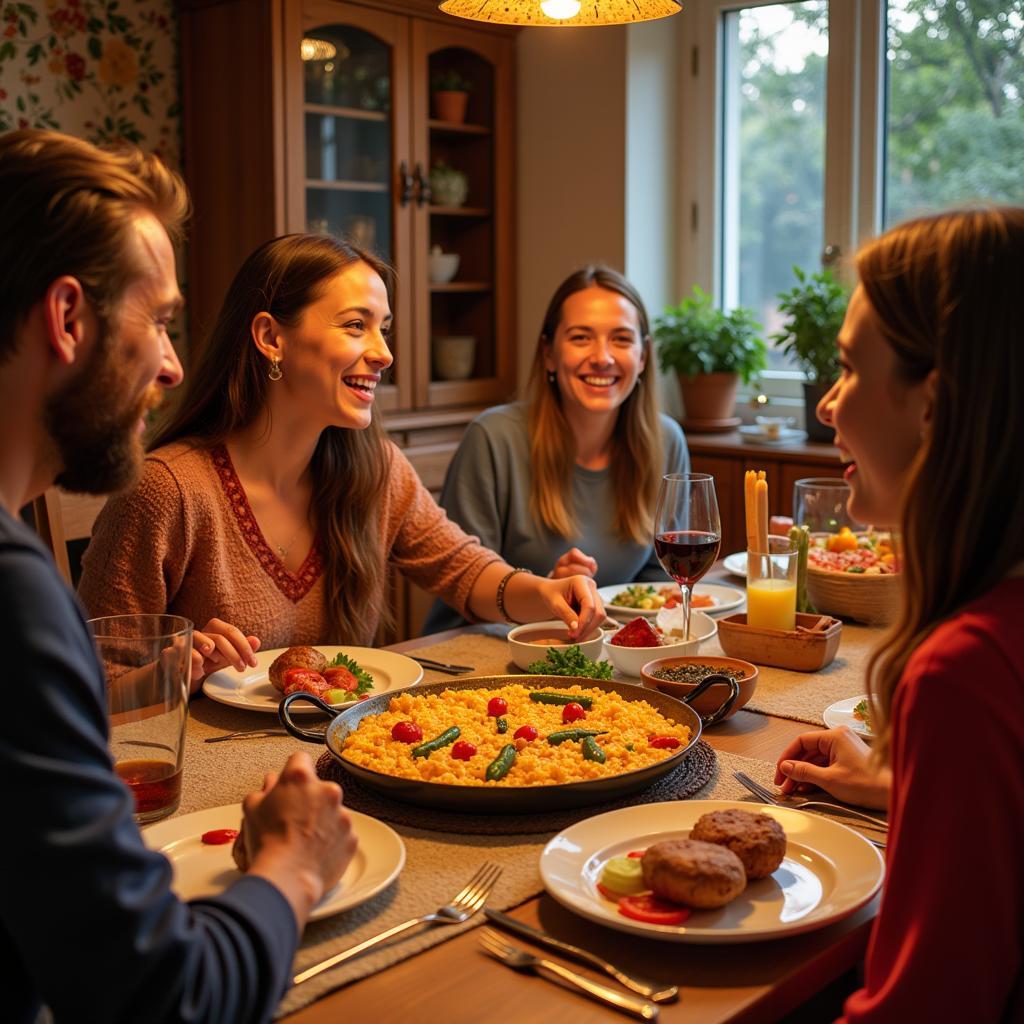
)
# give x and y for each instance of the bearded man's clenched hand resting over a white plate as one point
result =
(297, 834)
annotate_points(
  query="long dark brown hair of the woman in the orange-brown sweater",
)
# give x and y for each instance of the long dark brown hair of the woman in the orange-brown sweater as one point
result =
(227, 392)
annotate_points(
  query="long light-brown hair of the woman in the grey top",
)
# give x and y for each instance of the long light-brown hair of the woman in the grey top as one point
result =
(637, 457)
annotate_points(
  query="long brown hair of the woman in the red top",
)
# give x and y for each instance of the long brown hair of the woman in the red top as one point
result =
(947, 293)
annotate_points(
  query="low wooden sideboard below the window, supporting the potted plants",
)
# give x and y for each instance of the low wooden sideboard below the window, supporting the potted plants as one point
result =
(728, 458)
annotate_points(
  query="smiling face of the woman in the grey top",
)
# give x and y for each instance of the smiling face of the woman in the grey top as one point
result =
(598, 353)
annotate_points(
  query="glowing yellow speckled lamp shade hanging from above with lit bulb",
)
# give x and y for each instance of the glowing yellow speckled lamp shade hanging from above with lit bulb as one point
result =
(561, 13)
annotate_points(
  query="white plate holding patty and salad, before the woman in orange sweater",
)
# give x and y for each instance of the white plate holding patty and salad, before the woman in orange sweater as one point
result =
(252, 690)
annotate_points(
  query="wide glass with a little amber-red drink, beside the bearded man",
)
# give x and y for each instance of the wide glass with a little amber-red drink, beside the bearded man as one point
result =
(148, 662)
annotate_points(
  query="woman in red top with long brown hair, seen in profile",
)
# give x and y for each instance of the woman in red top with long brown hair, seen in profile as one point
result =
(929, 419)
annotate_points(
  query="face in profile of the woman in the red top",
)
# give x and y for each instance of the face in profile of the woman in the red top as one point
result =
(879, 418)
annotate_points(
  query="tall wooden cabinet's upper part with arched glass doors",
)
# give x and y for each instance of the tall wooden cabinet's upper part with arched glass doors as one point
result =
(315, 116)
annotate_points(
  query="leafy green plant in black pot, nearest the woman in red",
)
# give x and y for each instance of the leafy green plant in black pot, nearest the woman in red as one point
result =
(815, 309)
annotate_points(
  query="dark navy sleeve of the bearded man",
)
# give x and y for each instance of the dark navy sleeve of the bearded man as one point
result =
(89, 924)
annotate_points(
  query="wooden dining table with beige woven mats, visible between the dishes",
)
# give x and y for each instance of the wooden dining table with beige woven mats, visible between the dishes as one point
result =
(446, 976)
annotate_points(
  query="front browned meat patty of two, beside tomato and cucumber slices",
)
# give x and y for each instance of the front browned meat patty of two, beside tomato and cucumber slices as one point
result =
(700, 875)
